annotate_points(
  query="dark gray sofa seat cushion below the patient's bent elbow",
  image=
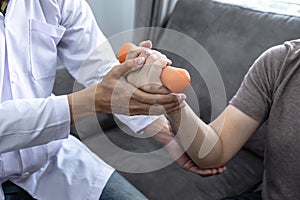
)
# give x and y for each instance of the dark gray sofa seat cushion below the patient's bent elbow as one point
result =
(243, 173)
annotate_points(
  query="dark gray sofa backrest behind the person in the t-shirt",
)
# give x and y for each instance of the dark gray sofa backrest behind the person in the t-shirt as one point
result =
(234, 37)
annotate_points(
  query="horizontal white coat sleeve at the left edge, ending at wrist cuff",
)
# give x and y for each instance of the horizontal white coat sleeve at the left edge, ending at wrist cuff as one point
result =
(31, 122)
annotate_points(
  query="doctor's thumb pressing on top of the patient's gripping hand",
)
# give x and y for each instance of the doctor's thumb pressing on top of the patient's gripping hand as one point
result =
(129, 66)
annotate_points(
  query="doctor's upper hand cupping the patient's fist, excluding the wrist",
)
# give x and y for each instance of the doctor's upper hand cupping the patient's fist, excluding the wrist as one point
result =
(116, 95)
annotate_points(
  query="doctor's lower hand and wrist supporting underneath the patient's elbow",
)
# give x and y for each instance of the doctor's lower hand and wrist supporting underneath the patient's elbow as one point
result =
(161, 131)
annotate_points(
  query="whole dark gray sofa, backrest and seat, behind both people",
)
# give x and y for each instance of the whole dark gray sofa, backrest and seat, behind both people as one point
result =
(234, 37)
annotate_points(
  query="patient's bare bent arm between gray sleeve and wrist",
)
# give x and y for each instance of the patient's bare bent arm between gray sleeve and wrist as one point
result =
(215, 144)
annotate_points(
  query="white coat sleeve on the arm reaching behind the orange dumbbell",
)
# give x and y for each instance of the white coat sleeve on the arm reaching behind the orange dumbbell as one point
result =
(87, 54)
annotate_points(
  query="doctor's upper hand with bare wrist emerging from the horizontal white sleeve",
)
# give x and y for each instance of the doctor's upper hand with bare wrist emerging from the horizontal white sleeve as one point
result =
(115, 95)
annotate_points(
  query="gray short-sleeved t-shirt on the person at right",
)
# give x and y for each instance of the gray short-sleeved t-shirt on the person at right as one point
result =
(271, 92)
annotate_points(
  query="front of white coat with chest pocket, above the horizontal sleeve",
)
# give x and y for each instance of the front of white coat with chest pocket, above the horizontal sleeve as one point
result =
(28, 38)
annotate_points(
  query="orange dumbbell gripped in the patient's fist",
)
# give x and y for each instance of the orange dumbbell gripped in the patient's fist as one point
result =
(175, 79)
